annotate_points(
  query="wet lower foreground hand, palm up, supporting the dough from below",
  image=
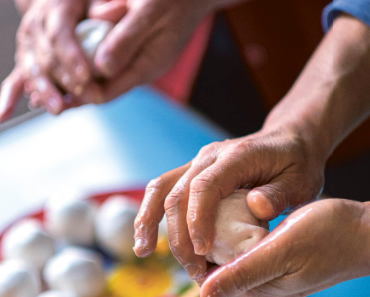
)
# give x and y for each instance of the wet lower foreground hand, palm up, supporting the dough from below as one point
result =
(316, 247)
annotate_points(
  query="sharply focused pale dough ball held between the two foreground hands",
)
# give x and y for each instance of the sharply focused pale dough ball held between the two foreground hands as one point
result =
(237, 229)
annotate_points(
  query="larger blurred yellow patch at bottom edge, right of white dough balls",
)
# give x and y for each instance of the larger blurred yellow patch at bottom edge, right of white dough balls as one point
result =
(150, 280)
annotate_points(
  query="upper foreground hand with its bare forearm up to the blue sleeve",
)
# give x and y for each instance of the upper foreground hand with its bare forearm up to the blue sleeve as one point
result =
(283, 163)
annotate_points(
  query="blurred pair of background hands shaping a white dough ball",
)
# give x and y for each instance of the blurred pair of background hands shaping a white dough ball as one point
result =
(53, 71)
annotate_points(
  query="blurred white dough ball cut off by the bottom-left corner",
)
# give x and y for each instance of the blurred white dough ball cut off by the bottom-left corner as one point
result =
(18, 279)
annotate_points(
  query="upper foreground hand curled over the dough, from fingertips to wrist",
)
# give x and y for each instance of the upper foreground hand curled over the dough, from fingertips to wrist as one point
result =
(280, 169)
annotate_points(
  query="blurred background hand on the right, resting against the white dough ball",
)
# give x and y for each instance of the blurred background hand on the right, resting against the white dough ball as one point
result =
(146, 42)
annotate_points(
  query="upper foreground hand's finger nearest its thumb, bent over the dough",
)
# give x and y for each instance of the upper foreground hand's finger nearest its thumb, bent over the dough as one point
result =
(214, 183)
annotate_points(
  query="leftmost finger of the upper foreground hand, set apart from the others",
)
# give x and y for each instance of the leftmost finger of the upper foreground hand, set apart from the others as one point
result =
(152, 210)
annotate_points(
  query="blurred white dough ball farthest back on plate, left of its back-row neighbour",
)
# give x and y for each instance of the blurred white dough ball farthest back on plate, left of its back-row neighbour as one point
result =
(70, 216)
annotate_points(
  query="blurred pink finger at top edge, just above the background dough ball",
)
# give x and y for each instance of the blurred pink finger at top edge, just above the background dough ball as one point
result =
(112, 11)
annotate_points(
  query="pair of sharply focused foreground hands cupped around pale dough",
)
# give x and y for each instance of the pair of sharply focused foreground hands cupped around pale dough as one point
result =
(298, 258)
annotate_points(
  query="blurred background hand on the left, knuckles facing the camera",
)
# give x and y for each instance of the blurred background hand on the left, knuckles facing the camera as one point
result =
(49, 62)
